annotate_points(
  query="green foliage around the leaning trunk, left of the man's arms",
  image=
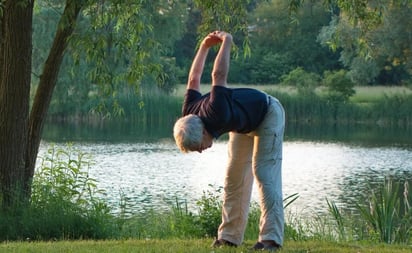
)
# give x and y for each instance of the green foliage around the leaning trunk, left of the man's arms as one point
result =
(114, 46)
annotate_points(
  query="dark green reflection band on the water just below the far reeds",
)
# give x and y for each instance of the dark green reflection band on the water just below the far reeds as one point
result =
(117, 132)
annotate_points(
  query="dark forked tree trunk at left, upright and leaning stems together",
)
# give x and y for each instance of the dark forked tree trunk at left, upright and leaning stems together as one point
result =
(20, 134)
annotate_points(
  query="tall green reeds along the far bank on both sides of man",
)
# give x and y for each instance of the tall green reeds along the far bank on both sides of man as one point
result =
(388, 109)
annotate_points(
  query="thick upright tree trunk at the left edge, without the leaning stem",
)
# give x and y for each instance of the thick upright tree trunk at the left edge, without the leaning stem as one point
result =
(15, 63)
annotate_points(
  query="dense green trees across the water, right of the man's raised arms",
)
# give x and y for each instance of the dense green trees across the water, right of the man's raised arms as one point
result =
(319, 37)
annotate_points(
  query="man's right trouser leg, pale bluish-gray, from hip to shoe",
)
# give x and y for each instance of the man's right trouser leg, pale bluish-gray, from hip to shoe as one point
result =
(267, 169)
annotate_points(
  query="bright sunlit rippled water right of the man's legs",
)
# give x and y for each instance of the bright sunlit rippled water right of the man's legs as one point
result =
(343, 173)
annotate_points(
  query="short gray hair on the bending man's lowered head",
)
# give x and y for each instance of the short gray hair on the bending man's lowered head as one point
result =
(188, 132)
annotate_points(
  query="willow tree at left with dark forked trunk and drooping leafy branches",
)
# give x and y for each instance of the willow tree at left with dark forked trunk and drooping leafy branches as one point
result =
(109, 22)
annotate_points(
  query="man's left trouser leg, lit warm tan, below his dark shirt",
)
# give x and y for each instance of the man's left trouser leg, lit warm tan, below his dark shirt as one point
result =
(237, 188)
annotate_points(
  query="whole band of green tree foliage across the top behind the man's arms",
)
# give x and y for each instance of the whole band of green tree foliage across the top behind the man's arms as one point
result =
(117, 46)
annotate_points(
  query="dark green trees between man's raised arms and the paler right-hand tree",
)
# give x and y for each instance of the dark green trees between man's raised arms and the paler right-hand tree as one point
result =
(282, 42)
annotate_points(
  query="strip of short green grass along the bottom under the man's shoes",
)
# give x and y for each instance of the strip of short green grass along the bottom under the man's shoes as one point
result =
(198, 246)
